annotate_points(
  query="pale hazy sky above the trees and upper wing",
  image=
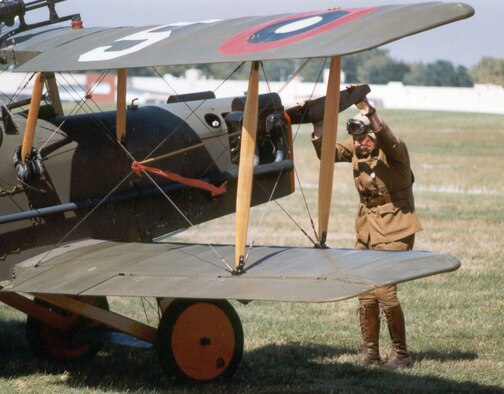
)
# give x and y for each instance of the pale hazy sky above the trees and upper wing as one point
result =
(463, 42)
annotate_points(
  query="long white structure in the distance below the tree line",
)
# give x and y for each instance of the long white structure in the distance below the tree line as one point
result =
(155, 90)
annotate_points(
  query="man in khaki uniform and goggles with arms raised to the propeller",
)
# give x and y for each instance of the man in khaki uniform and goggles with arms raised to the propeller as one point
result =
(386, 220)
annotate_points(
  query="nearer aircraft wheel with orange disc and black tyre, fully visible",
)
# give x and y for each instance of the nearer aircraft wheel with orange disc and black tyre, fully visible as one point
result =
(200, 340)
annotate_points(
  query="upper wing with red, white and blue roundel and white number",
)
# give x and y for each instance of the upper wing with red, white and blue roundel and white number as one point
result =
(311, 34)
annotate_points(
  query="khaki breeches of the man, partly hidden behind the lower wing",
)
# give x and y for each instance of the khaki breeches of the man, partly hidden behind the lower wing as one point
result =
(385, 296)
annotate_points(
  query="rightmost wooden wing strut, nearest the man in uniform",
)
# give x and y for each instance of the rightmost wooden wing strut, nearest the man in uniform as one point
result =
(330, 129)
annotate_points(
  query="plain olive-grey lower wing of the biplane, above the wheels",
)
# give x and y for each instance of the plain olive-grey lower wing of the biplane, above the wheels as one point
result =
(196, 271)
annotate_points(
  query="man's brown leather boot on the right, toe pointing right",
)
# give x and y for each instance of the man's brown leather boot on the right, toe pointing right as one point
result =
(399, 357)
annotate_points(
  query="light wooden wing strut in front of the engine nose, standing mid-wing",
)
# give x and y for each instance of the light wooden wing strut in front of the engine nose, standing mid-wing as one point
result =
(246, 166)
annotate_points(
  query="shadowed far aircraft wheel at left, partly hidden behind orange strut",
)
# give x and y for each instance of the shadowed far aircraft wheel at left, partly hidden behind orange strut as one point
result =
(50, 344)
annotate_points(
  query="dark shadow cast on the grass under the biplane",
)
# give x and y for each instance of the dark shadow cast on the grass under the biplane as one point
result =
(292, 367)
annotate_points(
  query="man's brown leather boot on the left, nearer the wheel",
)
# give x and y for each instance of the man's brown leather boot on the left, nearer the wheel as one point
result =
(369, 316)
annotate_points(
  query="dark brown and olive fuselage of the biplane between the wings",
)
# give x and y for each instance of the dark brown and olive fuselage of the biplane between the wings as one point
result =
(88, 189)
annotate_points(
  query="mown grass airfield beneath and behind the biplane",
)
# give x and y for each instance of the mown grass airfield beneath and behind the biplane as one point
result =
(454, 321)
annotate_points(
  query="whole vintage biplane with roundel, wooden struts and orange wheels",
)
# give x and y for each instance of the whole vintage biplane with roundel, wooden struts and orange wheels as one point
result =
(85, 197)
